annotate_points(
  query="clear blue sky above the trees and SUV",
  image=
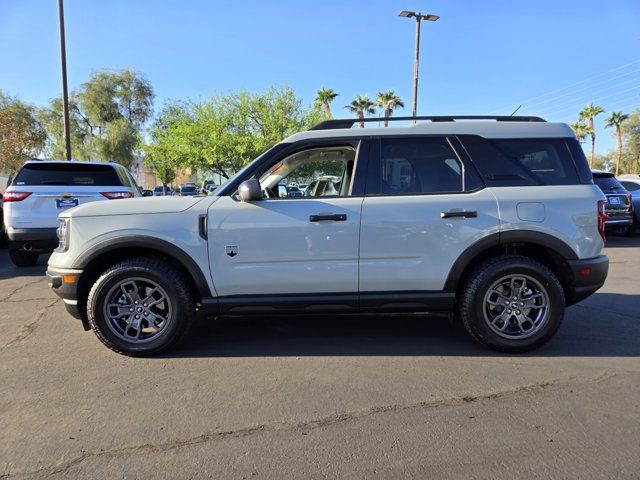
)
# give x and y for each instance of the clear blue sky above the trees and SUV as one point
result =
(480, 57)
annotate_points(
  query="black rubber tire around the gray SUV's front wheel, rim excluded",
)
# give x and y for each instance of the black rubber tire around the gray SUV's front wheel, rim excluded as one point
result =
(178, 291)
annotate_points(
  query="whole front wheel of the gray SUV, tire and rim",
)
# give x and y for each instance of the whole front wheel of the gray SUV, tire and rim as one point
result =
(141, 307)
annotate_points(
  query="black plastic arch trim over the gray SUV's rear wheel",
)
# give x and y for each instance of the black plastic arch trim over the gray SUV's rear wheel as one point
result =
(503, 238)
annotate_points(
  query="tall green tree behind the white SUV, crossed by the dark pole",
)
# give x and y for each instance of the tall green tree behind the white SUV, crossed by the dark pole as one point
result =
(107, 115)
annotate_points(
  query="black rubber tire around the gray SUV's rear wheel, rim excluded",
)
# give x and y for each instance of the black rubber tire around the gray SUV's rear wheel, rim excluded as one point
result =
(480, 281)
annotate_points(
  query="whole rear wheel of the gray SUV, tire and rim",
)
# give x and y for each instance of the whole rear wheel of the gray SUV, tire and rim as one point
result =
(512, 304)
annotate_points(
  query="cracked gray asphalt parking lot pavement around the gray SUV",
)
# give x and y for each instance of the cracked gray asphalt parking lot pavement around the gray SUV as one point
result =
(325, 397)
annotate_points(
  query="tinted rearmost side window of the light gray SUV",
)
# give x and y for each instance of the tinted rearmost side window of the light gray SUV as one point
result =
(548, 160)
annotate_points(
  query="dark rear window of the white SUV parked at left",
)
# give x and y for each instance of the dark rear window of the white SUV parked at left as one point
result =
(67, 174)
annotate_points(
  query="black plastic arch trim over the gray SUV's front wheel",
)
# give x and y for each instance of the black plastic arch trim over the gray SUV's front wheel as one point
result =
(160, 245)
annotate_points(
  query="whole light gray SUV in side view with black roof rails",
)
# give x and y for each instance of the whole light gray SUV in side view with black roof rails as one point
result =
(496, 219)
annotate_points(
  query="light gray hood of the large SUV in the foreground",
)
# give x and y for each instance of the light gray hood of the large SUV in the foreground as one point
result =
(133, 206)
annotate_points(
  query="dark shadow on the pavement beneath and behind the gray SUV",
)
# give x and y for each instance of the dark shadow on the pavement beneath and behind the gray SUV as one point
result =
(600, 326)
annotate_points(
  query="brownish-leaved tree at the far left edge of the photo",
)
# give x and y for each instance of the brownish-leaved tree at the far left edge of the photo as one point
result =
(21, 134)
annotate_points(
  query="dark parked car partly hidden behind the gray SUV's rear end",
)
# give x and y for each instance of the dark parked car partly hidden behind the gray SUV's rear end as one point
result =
(618, 208)
